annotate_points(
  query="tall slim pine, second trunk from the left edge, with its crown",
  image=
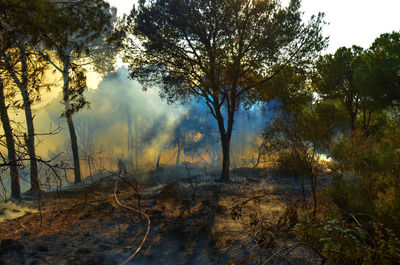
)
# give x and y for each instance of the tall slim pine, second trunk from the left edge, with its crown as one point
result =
(20, 26)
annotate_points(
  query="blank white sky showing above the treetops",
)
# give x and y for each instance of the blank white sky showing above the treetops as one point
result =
(356, 22)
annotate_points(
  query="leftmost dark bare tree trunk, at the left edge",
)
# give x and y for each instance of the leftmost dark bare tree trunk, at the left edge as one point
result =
(12, 157)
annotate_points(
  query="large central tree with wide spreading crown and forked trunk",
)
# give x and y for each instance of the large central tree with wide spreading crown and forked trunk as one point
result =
(219, 51)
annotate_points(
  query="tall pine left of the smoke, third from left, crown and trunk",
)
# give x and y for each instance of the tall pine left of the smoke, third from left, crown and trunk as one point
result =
(78, 36)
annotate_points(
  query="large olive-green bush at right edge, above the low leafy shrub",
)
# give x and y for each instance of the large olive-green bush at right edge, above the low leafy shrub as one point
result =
(366, 175)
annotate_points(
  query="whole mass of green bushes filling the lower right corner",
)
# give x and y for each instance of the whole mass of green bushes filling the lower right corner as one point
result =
(364, 187)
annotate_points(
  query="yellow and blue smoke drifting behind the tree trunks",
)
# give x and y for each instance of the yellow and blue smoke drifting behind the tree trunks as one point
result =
(123, 123)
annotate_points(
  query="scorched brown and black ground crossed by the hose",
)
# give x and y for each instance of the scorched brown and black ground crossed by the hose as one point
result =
(194, 220)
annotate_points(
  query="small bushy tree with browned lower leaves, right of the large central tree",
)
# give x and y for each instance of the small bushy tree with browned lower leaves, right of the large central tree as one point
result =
(299, 137)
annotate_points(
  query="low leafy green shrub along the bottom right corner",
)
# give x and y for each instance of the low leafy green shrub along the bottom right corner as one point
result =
(351, 243)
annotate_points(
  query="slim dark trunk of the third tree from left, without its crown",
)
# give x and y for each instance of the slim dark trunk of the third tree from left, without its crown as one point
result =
(74, 142)
